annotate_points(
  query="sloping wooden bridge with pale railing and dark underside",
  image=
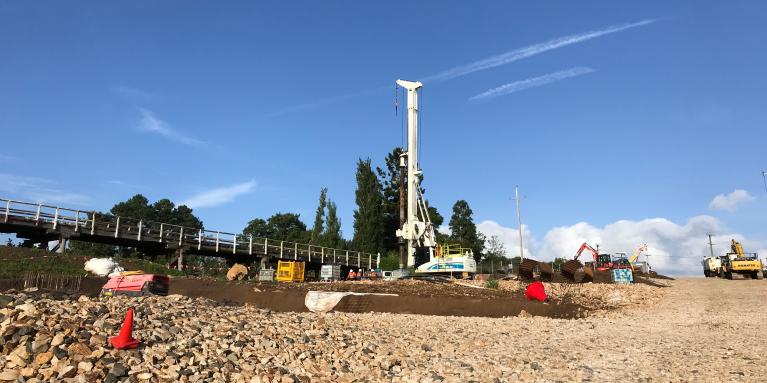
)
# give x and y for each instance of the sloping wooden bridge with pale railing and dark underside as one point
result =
(38, 223)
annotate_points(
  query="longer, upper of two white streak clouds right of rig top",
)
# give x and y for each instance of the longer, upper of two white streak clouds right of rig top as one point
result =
(532, 50)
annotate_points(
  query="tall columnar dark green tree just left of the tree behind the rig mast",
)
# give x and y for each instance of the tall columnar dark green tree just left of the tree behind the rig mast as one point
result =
(369, 217)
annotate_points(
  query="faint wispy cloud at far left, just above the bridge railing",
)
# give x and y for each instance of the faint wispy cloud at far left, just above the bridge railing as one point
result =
(33, 189)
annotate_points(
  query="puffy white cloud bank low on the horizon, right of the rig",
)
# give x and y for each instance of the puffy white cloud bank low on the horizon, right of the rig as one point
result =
(675, 249)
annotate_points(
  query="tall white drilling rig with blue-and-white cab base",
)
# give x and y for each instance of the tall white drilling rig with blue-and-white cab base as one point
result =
(417, 231)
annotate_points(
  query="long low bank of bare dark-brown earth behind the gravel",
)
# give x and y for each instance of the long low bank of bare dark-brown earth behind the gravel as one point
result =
(413, 297)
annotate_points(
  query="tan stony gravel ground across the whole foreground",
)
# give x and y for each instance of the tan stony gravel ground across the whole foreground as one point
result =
(694, 330)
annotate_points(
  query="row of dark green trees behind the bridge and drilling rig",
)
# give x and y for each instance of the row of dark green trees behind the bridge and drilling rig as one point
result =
(376, 217)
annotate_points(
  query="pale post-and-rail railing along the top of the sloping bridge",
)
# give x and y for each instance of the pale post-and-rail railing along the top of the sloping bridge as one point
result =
(94, 223)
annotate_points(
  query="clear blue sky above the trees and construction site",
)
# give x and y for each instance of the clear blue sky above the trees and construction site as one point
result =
(265, 103)
